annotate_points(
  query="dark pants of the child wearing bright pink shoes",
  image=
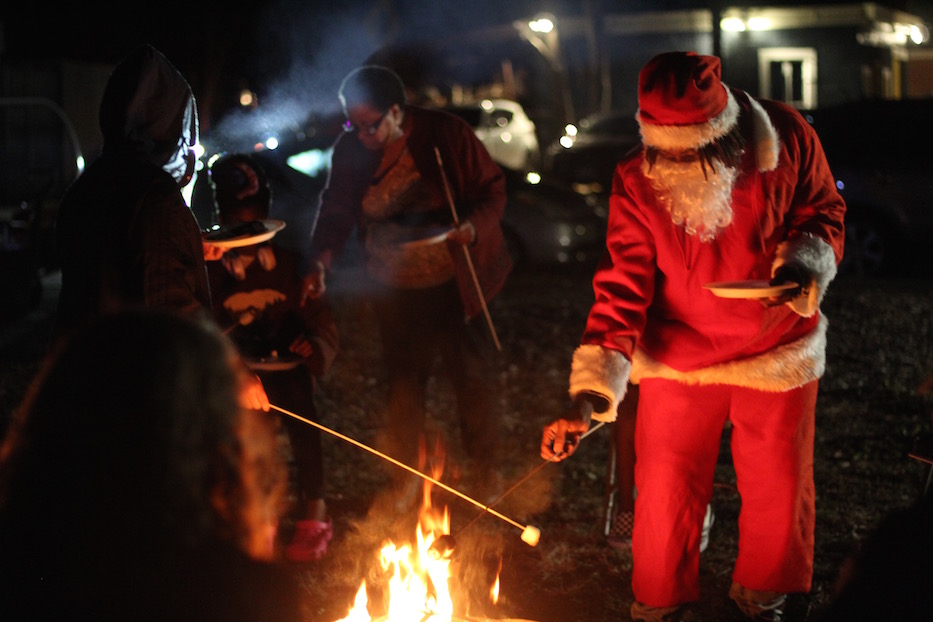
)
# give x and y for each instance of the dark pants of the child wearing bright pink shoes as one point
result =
(293, 390)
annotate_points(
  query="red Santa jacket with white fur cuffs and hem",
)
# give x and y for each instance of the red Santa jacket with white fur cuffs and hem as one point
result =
(652, 317)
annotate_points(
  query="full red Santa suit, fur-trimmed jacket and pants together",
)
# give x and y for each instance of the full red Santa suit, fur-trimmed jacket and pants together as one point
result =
(703, 360)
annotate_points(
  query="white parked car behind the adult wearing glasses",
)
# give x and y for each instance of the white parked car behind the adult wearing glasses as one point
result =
(506, 131)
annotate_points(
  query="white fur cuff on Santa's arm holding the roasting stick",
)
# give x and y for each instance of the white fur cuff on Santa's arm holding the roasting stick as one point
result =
(602, 371)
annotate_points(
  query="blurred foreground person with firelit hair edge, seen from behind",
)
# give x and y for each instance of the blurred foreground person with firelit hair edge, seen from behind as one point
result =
(133, 485)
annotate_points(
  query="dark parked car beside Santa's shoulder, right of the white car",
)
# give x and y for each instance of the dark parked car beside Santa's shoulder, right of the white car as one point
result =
(587, 154)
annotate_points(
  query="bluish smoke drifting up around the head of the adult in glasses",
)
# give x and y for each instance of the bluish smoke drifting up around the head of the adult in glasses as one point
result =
(300, 52)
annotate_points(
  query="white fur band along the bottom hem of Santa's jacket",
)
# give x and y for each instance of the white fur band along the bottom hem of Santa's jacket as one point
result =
(782, 369)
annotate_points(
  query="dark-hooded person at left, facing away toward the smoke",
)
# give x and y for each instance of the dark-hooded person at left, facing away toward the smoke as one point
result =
(125, 235)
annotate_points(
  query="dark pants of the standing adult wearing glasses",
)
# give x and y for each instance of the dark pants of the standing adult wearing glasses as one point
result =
(417, 326)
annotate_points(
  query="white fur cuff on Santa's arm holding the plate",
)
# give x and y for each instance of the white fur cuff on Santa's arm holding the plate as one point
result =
(816, 257)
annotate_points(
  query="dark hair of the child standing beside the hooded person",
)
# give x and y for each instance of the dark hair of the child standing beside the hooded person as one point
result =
(239, 182)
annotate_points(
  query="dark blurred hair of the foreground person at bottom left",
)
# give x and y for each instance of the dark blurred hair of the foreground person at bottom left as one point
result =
(130, 440)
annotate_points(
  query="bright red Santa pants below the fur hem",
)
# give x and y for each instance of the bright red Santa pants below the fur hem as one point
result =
(677, 439)
